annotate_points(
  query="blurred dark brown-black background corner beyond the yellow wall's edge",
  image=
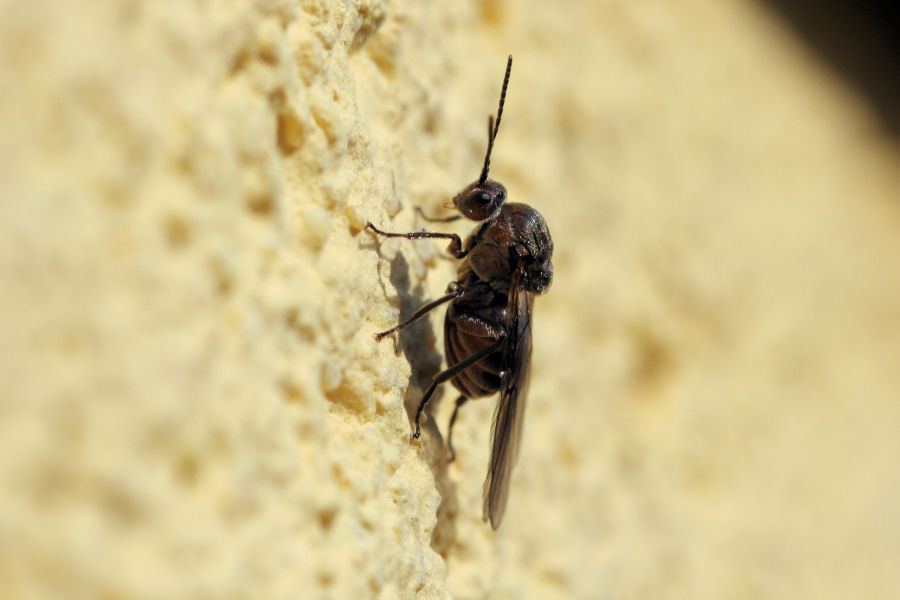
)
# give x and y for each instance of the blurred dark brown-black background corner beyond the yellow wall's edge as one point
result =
(860, 40)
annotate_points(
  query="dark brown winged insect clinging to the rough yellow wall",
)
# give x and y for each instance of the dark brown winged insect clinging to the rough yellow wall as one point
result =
(487, 328)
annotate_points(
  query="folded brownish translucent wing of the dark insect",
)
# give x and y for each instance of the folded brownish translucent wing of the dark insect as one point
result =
(506, 430)
